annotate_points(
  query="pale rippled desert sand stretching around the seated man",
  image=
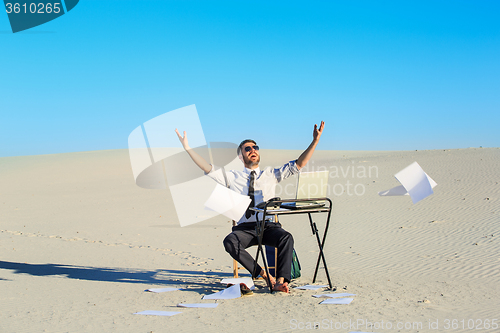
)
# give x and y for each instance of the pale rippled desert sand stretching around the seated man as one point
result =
(80, 242)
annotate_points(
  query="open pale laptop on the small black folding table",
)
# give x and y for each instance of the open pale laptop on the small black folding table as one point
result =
(309, 185)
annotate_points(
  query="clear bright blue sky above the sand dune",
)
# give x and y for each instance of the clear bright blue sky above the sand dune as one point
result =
(383, 75)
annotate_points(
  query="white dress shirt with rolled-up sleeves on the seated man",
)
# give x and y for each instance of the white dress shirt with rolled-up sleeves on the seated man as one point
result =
(265, 182)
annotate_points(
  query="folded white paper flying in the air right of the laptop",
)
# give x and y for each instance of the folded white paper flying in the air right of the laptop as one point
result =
(415, 183)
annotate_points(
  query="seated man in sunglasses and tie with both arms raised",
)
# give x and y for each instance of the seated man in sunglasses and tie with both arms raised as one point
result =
(260, 186)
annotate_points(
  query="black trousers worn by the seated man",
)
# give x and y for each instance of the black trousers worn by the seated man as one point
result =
(244, 235)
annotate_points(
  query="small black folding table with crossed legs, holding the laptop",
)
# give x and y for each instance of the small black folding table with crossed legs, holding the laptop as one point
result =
(269, 211)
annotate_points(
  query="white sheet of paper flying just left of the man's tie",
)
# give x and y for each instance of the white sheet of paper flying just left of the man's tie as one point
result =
(227, 202)
